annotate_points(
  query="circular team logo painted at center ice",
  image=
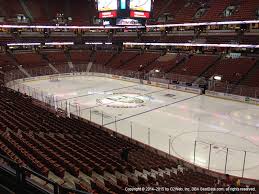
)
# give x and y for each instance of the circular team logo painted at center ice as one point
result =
(124, 100)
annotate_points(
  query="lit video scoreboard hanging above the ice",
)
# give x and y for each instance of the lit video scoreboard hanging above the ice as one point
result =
(124, 9)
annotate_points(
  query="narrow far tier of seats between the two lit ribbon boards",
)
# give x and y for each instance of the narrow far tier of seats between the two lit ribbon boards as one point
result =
(211, 36)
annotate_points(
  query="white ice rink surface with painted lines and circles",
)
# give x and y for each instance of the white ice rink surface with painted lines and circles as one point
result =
(168, 120)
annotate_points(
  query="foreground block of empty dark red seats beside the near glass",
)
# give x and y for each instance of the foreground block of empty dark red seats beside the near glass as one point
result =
(81, 156)
